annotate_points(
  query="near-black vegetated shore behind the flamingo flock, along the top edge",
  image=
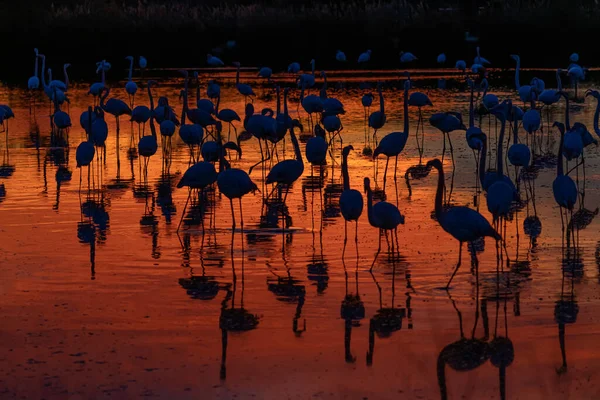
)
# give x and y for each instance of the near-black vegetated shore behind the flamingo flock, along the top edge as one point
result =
(276, 32)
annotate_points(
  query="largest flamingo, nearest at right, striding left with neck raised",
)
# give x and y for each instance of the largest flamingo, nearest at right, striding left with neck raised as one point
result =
(463, 223)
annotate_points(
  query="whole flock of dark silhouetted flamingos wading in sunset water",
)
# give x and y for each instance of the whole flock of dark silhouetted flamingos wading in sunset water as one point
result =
(200, 127)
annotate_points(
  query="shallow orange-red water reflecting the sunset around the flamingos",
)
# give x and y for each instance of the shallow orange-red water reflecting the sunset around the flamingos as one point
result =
(102, 297)
